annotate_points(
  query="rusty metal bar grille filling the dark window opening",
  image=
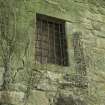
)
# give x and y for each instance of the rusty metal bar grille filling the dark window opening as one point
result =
(51, 43)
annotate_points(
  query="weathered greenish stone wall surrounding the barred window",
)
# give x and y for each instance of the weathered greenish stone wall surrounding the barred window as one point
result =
(33, 84)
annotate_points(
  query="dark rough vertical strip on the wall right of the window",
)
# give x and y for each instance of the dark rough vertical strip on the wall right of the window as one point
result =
(79, 54)
